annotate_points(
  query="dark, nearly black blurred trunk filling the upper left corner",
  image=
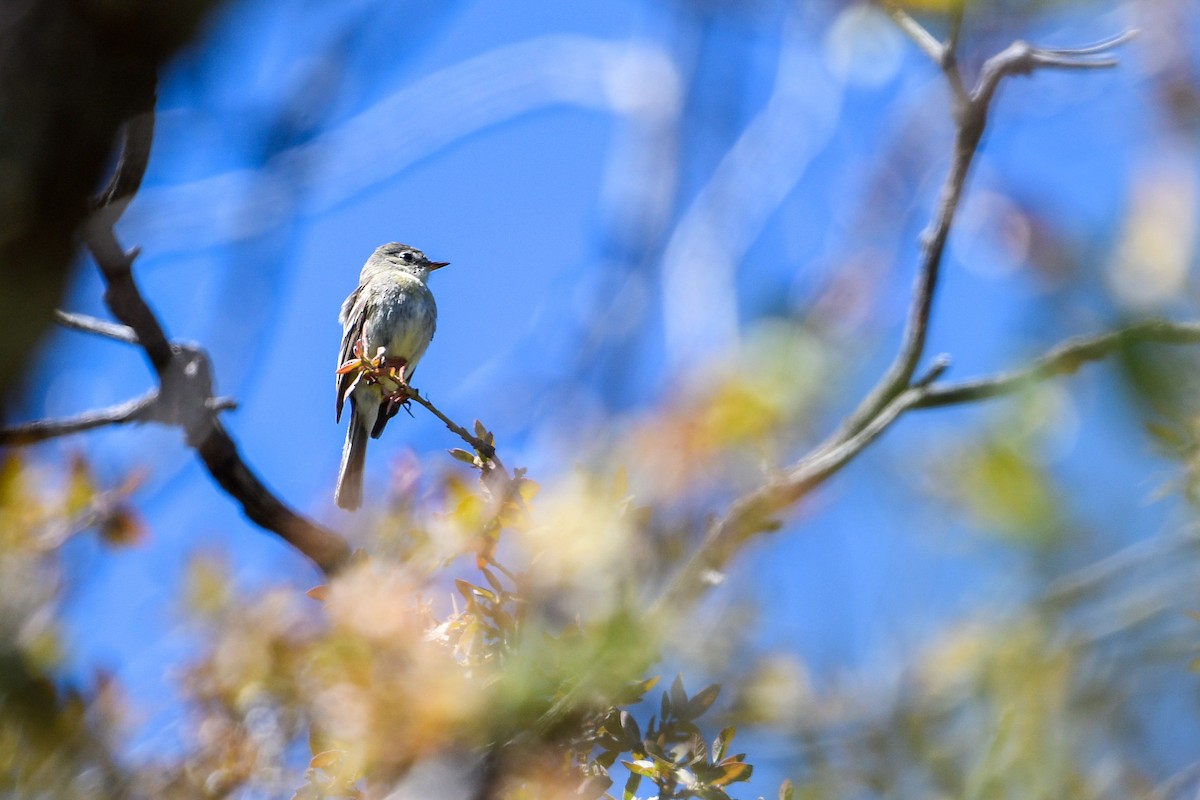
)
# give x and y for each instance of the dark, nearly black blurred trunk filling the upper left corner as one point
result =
(74, 73)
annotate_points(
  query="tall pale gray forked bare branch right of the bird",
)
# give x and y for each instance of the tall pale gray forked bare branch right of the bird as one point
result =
(897, 393)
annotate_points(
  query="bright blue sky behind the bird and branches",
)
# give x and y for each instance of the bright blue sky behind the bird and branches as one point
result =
(295, 139)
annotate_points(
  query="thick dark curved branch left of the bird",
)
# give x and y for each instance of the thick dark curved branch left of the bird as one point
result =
(185, 375)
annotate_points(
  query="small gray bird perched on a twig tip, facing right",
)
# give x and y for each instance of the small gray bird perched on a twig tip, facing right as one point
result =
(392, 309)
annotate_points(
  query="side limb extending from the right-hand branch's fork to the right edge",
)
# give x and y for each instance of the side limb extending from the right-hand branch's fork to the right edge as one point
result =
(1061, 360)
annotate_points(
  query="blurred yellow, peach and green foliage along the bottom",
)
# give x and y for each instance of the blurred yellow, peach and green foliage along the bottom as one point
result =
(502, 641)
